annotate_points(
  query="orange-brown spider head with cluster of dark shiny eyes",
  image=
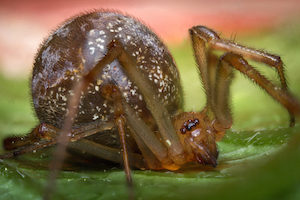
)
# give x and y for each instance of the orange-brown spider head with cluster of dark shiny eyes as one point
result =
(198, 136)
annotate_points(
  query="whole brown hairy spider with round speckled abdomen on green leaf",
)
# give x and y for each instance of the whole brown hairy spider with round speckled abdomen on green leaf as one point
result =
(107, 71)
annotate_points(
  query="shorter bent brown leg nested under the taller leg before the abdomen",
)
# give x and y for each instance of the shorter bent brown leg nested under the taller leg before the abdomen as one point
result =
(150, 146)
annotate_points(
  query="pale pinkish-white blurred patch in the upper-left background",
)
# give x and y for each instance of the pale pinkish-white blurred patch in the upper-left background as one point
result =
(19, 41)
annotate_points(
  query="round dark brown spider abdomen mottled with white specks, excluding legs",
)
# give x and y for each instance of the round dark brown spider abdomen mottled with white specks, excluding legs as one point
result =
(76, 47)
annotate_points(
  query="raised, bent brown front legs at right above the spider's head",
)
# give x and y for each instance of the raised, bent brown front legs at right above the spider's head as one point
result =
(217, 89)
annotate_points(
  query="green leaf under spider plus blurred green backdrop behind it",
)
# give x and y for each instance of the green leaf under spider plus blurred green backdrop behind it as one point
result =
(259, 157)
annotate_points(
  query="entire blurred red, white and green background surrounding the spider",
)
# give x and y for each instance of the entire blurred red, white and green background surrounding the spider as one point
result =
(259, 156)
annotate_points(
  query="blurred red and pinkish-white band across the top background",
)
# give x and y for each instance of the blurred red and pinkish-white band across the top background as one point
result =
(24, 24)
